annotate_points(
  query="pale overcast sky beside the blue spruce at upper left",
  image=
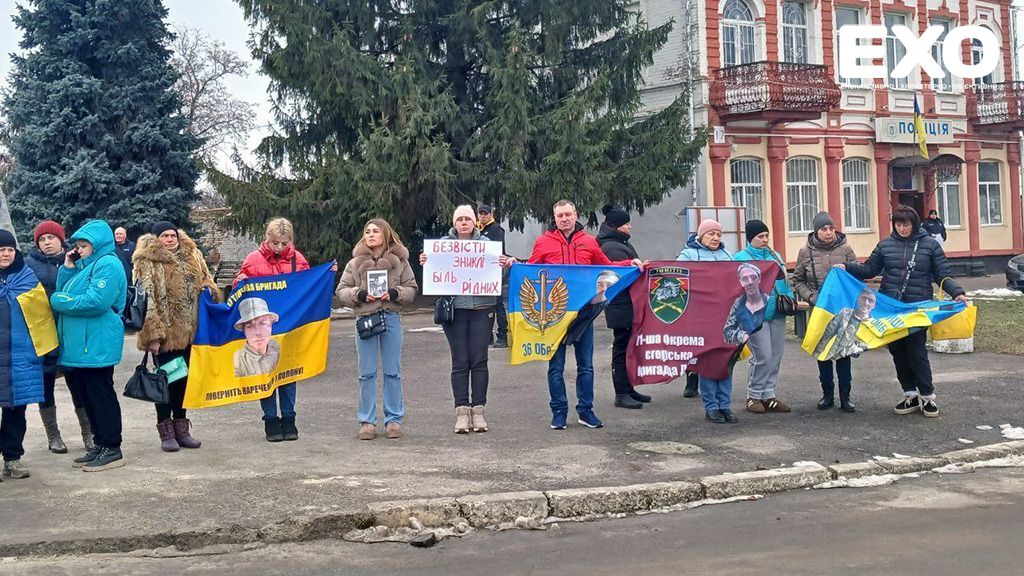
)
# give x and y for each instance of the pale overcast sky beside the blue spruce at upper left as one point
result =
(222, 20)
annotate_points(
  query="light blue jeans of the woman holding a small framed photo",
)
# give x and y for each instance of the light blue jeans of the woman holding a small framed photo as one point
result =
(389, 346)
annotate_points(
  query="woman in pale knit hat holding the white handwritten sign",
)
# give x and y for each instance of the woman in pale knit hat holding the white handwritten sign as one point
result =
(468, 336)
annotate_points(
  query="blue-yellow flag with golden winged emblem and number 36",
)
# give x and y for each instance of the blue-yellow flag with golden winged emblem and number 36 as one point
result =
(545, 301)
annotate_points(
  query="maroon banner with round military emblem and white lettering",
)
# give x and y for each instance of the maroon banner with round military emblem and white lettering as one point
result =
(692, 316)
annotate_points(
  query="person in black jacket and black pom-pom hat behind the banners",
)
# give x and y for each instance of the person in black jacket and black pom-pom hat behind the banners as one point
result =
(615, 240)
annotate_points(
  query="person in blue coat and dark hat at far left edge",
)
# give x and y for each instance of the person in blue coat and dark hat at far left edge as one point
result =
(21, 366)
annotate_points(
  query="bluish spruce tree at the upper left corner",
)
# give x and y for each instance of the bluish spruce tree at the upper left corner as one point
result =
(95, 126)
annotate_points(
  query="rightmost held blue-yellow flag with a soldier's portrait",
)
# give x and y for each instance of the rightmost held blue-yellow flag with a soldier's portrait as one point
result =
(839, 328)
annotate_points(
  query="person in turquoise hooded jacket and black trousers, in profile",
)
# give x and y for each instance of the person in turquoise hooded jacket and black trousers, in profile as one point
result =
(91, 296)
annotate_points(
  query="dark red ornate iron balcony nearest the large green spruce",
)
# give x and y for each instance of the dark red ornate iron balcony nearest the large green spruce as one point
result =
(773, 92)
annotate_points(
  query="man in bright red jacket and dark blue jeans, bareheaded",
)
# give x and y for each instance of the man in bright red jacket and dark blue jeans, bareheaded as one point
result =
(567, 243)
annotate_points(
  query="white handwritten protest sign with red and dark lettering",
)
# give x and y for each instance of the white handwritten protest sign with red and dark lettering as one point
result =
(462, 268)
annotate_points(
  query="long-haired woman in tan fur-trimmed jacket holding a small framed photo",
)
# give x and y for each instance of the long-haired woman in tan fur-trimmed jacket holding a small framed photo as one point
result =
(380, 251)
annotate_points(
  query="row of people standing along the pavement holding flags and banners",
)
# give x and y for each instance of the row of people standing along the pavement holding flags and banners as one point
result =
(87, 277)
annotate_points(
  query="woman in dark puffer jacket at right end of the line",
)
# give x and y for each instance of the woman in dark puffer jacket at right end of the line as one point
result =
(910, 261)
